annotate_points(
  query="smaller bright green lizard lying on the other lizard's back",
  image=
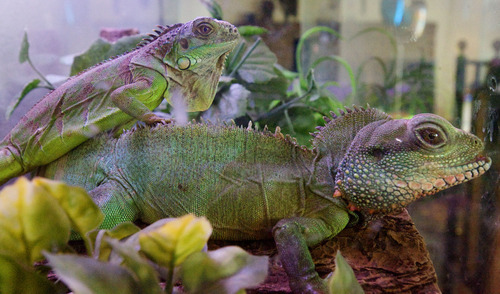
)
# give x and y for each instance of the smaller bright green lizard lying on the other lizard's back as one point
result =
(181, 63)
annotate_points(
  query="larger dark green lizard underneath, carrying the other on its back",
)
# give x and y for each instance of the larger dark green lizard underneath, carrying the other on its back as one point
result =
(255, 185)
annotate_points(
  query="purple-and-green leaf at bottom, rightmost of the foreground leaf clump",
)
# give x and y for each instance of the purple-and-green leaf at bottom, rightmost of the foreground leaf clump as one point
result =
(226, 270)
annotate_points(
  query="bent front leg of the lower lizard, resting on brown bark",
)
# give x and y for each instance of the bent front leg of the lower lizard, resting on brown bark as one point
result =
(294, 235)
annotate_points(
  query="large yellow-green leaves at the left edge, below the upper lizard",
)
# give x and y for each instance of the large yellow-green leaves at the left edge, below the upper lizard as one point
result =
(25, 203)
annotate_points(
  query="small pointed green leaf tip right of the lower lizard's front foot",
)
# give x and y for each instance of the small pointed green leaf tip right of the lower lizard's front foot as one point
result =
(343, 279)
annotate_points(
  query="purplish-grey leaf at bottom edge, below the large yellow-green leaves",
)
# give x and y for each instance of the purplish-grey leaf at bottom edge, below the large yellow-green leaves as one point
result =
(87, 275)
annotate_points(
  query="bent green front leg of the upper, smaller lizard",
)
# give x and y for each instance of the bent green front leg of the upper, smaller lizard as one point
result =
(133, 98)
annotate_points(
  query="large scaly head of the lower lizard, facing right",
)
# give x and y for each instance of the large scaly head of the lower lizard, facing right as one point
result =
(391, 162)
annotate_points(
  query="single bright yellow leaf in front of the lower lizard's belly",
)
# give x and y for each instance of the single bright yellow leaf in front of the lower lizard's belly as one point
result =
(170, 244)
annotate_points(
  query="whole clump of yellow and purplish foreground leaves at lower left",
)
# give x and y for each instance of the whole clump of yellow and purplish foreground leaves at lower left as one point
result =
(126, 260)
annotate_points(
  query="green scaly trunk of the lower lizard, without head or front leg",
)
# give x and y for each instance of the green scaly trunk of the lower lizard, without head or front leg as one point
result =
(244, 181)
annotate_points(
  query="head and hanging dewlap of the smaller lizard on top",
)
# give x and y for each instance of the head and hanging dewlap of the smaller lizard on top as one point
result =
(196, 60)
